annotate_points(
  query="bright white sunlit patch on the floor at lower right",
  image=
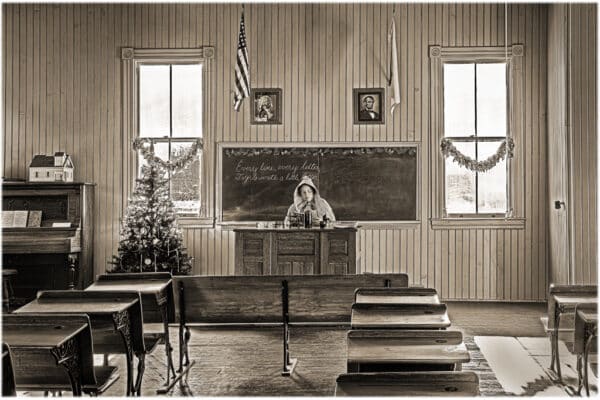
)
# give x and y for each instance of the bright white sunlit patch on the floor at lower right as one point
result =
(515, 369)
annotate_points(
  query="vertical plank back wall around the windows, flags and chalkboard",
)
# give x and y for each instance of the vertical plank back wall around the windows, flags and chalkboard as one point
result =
(62, 91)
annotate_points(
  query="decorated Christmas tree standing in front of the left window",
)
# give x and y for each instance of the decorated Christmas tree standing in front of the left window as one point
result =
(150, 240)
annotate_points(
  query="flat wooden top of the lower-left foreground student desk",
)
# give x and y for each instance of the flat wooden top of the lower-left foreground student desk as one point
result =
(38, 335)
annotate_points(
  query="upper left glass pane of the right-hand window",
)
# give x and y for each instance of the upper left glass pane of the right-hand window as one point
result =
(459, 99)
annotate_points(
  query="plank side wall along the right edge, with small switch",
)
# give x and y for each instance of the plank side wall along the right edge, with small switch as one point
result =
(572, 126)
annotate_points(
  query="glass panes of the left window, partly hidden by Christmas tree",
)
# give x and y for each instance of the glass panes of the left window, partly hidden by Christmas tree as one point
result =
(170, 114)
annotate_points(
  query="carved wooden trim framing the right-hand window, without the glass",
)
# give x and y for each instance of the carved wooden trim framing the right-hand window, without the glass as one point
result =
(513, 56)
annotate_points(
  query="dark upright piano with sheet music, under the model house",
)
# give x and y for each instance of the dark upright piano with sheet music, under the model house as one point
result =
(48, 257)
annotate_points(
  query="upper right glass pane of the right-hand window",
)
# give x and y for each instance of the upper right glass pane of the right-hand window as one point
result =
(491, 99)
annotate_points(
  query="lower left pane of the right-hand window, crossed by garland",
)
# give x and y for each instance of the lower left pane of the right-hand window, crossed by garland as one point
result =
(460, 183)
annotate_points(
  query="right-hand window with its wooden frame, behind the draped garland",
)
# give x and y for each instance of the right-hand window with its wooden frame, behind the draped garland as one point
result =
(477, 99)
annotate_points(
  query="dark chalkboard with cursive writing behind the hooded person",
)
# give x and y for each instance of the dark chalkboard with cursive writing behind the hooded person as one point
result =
(360, 184)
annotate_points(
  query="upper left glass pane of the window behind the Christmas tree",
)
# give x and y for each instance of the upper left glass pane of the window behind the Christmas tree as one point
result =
(154, 100)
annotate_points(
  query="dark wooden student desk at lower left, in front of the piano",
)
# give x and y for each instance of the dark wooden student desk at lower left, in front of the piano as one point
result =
(45, 346)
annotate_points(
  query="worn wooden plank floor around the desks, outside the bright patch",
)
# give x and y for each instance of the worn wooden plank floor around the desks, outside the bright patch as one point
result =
(247, 362)
